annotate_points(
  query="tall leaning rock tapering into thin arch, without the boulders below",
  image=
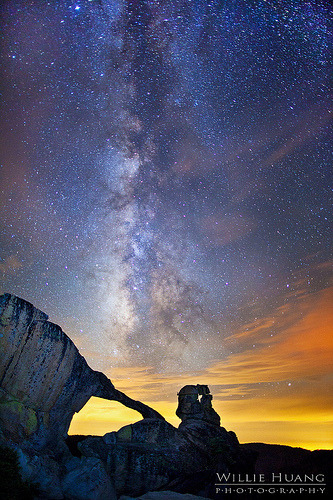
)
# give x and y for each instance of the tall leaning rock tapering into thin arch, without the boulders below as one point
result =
(43, 378)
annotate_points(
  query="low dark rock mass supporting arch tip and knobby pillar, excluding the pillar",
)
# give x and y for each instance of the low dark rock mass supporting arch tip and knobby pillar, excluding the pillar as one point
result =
(152, 454)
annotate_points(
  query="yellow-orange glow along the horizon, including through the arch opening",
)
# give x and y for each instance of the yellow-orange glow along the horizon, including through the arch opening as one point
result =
(279, 393)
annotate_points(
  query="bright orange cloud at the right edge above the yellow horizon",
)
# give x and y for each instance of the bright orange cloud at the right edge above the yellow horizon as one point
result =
(303, 349)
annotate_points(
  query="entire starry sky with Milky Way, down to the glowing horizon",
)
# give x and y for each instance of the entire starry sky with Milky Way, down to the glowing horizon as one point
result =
(166, 199)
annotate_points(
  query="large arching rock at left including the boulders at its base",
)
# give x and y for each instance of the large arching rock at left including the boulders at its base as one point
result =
(43, 381)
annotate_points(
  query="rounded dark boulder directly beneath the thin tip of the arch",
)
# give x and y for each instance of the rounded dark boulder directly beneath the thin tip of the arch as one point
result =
(139, 457)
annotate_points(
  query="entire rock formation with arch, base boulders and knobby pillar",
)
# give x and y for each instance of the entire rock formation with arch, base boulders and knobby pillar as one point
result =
(44, 381)
